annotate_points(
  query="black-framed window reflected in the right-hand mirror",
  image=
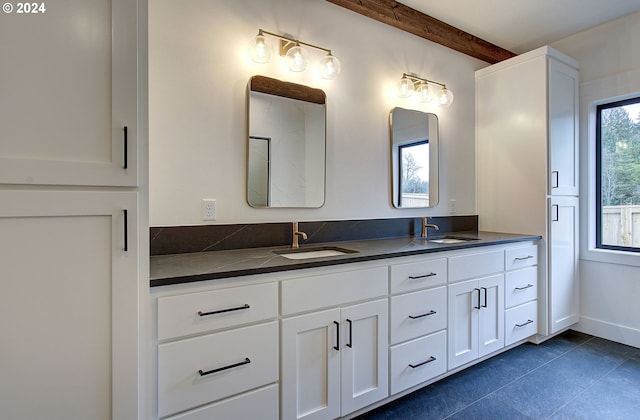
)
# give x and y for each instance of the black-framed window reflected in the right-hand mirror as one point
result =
(414, 174)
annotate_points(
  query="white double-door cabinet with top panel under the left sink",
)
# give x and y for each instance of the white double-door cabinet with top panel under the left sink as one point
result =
(334, 336)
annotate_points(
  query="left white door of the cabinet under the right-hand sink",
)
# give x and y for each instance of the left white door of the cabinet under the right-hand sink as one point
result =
(463, 308)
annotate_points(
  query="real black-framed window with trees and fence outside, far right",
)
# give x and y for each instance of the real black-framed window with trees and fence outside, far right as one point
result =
(618, 175)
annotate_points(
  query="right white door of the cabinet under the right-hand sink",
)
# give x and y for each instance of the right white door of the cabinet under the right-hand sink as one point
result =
(491, 314)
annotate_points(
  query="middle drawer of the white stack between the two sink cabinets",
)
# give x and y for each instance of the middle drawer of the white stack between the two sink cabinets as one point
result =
(418, 313)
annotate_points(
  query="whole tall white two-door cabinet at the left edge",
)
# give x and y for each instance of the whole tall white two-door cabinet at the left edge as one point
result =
(72, 209)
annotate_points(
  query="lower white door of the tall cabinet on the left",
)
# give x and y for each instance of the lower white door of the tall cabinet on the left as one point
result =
(69, 305)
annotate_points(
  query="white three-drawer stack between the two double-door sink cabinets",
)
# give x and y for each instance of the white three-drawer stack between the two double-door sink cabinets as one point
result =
(417, 322)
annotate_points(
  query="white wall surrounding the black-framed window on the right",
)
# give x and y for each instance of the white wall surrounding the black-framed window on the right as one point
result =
(609, 57)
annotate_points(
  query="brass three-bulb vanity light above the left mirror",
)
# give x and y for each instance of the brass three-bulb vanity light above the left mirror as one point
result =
(291, 49)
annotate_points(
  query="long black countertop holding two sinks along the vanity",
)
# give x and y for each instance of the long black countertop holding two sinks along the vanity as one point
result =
(200, 266)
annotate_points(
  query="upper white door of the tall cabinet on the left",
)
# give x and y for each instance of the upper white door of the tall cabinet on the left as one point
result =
(69, 89)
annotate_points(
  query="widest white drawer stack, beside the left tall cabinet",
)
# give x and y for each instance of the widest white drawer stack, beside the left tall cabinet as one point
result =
(220, 347)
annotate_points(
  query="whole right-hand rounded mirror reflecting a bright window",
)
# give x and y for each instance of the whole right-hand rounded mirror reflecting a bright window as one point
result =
(414, 158)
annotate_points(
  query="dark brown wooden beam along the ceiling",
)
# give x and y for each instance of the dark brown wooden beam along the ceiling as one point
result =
(417, 23)
